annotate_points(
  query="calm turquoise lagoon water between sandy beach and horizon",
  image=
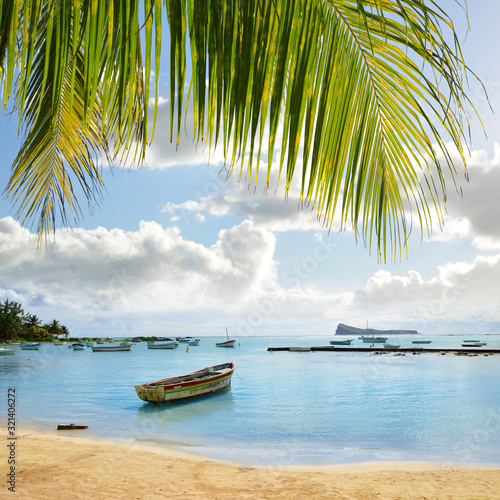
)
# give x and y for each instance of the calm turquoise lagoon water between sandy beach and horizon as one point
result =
(284, 408)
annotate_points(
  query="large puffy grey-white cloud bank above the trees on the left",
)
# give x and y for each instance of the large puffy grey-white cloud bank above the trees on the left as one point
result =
(92, 273)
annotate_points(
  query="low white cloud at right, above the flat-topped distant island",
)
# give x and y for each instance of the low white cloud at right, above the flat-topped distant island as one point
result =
(461, 292)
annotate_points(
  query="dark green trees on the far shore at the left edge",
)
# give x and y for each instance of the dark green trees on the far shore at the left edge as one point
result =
(16, 324)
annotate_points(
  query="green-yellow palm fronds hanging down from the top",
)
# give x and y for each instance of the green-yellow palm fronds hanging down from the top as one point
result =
(368, 92)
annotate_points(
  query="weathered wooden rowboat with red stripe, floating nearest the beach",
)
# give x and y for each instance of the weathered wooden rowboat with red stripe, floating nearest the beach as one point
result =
(199, 383)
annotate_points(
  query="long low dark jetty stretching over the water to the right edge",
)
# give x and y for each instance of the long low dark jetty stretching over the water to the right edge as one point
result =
(380, 349)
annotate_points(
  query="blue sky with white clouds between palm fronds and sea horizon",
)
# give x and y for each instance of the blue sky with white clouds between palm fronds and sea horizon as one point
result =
(177, 248)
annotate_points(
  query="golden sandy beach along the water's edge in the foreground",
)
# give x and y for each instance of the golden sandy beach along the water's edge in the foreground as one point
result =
(52, 465)
